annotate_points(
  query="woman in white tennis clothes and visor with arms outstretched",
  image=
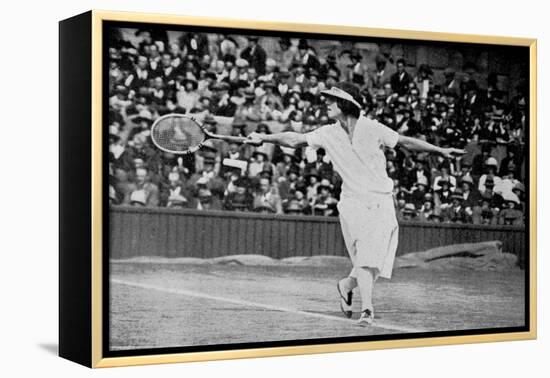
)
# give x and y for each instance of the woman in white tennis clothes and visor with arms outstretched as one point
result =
(355, 145)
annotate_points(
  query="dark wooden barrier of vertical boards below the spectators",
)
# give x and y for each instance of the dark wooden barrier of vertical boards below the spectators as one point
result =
(206, 234)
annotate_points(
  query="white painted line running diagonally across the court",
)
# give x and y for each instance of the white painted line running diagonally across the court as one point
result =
(245, 303)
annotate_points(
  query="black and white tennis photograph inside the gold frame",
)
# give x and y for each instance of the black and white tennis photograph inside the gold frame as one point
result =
(280, 188)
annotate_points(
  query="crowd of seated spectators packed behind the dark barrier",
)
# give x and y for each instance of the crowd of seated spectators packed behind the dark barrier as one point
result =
(239, 85)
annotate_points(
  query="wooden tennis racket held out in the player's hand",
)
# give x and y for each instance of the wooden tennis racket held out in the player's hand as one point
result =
(182, 134)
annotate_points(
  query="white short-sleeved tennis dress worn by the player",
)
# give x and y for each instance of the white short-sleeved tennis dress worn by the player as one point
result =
(367, 214)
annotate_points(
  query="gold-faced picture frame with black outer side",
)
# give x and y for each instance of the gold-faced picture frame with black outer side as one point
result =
(82, 340)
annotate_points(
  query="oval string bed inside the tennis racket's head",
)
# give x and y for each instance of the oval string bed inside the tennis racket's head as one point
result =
(177, 134)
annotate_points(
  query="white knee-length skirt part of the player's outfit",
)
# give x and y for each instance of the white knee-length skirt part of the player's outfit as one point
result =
(370, 231)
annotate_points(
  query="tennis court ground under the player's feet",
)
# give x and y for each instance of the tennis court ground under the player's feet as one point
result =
(163, 305)
